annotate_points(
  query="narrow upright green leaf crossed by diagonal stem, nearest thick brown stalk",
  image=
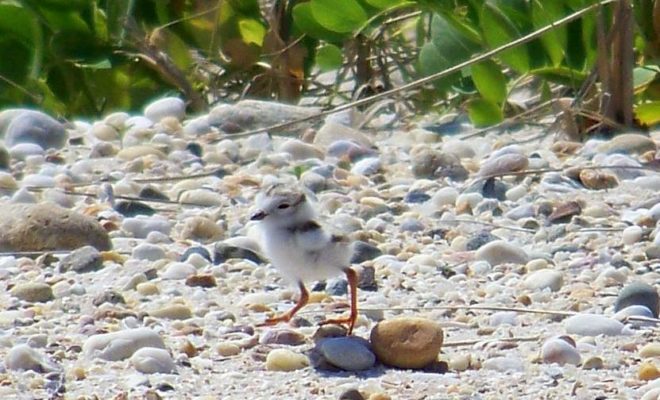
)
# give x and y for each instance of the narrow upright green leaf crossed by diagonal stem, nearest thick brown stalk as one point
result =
(554, 42)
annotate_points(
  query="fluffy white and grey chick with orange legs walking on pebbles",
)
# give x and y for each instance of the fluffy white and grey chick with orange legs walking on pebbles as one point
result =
(301, 248)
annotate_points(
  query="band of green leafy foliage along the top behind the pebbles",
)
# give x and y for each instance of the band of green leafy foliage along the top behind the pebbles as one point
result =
(86, 57)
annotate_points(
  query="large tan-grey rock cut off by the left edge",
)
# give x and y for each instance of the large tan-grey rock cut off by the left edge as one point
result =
(47, 226)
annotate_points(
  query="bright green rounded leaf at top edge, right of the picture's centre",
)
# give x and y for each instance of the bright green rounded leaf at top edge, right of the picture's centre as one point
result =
(341, 16)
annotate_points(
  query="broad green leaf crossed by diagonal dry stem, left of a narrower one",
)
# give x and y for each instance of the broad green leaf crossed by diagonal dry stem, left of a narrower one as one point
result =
(498, 30)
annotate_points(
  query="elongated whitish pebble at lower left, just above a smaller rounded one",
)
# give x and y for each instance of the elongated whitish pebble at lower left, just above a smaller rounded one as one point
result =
(121, 345)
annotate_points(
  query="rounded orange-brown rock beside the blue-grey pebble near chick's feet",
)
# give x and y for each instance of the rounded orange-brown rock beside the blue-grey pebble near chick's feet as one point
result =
(407, 342)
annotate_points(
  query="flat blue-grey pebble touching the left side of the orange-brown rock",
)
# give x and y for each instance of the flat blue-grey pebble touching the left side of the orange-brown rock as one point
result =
(348, 353)
